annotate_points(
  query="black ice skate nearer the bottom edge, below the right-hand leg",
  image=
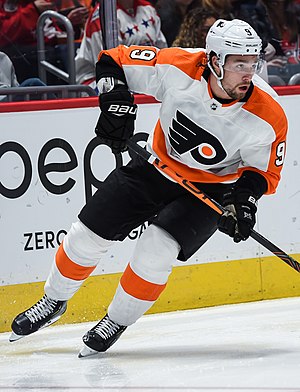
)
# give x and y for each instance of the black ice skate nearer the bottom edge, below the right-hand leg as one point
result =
(101, 337)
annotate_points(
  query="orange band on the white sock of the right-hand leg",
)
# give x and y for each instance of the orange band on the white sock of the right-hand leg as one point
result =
(139, 288)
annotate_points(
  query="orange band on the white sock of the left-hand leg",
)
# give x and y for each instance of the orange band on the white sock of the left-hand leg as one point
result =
(68, 268)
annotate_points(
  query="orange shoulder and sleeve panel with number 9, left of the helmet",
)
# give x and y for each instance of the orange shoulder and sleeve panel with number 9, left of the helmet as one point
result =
(194, 67)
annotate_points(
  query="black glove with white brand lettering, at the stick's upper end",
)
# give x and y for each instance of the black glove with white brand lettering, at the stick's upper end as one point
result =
(116, 122)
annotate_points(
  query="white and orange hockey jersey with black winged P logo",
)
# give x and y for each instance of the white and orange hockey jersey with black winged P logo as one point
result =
(197, 136)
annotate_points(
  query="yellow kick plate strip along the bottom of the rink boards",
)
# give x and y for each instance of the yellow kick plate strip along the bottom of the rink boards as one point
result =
(189, 287)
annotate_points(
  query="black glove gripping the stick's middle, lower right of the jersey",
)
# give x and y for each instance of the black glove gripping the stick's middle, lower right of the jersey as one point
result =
(239, 218)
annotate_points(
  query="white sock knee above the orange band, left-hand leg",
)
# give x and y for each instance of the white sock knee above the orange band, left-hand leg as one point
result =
(83, 246)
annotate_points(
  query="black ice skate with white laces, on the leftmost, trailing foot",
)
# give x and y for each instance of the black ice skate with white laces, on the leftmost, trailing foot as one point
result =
(45, 312)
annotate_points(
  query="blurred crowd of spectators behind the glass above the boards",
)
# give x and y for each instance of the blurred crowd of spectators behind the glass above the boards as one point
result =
(162, 23)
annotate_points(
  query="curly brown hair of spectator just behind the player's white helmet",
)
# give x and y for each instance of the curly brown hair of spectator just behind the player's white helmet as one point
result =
(194, 28)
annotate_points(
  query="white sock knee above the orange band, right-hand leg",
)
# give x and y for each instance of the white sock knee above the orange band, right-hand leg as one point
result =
(155, 252)
